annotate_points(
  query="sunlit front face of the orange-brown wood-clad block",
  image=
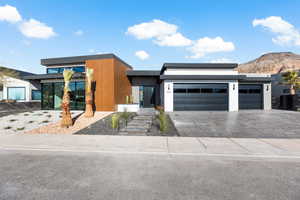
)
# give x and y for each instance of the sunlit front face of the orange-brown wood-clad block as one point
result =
(104, 77)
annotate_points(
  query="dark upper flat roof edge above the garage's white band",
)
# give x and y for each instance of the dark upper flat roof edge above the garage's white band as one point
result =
(198, 66)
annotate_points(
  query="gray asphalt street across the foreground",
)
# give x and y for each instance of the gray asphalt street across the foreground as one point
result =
(43, 174)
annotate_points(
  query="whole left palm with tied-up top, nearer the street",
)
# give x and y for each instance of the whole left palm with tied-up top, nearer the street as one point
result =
(66, 120)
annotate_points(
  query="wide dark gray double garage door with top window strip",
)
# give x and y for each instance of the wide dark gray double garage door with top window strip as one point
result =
(200, 96)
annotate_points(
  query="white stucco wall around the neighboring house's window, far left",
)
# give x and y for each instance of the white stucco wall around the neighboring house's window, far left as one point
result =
(13, 82)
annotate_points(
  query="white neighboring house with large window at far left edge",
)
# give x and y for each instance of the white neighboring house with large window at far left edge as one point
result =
(19, 89)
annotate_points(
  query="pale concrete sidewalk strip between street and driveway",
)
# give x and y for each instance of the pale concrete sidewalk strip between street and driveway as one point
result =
(154, 145)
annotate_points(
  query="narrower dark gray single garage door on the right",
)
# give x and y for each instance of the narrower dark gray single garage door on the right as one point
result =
(250, 96)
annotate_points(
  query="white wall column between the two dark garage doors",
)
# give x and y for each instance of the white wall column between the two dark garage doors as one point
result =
(233, 92)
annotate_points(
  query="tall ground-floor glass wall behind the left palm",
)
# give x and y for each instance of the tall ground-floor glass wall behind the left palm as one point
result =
(52, 94)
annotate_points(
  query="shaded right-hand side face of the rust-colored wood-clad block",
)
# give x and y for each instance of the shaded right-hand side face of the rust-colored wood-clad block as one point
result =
(122, 83)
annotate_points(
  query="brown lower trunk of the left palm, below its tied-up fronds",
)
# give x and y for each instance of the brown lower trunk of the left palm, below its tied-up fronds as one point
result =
(66, 120)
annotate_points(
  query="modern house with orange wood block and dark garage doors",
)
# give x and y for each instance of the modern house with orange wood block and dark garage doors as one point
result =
(176, 87)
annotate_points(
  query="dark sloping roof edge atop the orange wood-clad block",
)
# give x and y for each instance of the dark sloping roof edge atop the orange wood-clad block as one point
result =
(79, 59)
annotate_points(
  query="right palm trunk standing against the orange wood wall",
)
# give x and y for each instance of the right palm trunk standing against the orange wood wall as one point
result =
(88, 93)
